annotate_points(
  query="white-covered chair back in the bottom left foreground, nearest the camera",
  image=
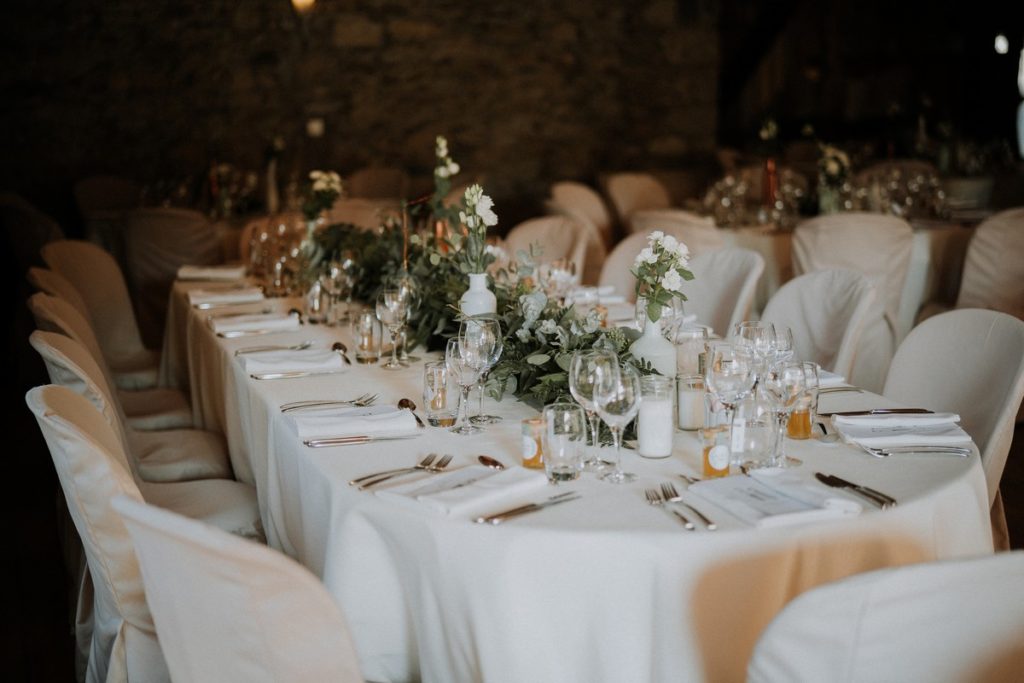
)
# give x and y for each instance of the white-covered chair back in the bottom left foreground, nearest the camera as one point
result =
(230, 611)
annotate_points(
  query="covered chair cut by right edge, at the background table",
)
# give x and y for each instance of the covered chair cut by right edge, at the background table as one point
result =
(994, 271)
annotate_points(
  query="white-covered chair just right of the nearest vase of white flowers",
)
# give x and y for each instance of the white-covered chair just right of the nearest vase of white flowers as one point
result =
(724, 284)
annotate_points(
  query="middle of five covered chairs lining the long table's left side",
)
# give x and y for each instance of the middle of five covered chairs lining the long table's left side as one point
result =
(146, 409)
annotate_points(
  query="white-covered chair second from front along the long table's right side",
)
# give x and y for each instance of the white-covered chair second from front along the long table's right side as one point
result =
(827, 312)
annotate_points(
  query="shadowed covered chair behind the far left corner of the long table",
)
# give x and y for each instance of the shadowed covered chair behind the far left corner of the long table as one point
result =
(158, 242)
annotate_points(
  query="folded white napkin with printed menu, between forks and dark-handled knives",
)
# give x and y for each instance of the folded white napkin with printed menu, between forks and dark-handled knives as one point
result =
(775, 498)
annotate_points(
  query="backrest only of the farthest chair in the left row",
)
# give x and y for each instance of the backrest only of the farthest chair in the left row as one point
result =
(98, 279)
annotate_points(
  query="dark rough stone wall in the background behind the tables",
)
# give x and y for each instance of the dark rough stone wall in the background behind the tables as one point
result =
(528, 93)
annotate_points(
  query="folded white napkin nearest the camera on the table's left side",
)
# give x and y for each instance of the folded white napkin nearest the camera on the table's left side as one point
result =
(470, 490)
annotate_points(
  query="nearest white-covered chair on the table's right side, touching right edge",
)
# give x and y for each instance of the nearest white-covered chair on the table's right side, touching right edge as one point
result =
(969, 362)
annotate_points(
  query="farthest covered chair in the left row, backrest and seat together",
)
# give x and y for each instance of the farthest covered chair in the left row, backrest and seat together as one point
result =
(100, 283)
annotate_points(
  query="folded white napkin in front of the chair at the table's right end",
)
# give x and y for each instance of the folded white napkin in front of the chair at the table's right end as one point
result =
(902, 430)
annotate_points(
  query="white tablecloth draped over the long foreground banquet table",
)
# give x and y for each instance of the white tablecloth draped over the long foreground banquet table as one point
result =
(606, 588)
